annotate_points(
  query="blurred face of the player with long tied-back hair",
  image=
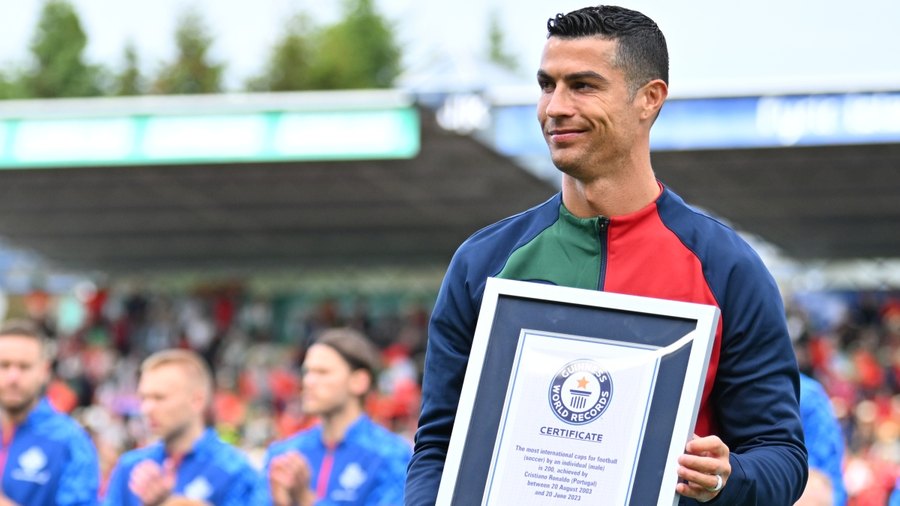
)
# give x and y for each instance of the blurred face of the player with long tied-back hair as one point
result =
(328, 382)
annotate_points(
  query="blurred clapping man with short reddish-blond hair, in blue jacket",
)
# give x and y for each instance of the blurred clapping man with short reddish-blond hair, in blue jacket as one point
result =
(189, 464)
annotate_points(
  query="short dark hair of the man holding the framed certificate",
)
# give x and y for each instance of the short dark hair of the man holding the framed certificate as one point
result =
(641, 53)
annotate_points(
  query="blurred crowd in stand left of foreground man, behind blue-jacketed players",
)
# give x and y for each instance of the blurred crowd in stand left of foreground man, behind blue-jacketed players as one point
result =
(255, 347)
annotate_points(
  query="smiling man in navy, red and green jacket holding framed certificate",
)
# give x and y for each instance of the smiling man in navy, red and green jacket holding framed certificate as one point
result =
(603, 79)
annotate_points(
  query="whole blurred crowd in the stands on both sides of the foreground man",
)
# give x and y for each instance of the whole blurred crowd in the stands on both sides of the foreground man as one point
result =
(849, 342)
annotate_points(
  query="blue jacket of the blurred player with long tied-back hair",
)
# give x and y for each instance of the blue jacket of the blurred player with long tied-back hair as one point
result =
(367, 468)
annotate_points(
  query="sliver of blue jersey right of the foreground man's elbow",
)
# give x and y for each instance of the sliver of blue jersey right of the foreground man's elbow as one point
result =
(824, 441)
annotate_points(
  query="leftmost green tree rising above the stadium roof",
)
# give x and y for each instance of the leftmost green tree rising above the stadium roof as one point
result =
(59, 69)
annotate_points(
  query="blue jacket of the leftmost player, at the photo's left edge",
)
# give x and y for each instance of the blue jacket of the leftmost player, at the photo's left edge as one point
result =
(50, 461)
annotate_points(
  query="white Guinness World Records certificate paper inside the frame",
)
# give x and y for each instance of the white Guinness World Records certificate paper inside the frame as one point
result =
(579, 421)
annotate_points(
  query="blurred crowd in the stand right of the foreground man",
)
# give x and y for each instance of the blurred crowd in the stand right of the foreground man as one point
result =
(850, 343)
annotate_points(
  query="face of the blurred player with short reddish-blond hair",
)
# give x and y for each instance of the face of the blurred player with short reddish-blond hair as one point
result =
(170, 402)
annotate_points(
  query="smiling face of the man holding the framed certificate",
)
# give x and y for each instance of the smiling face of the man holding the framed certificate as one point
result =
(588, 119)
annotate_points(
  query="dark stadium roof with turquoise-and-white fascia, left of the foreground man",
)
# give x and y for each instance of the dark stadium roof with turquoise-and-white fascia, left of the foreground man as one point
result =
(151, 213)
